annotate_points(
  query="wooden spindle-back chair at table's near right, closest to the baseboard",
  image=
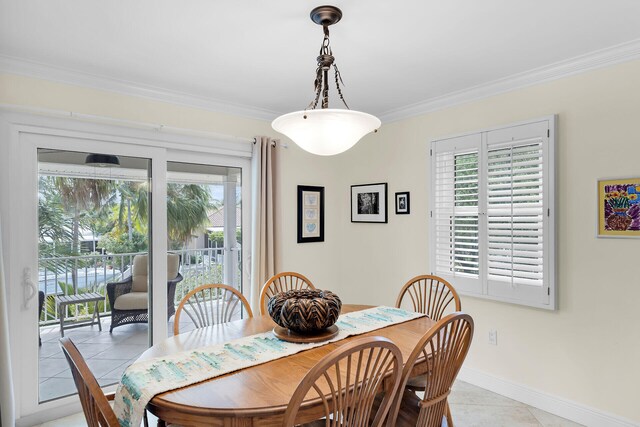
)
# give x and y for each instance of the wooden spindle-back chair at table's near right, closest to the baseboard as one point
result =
(440, 352)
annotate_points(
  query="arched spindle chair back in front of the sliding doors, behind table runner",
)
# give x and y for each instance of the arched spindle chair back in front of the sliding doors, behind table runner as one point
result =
(211, 305)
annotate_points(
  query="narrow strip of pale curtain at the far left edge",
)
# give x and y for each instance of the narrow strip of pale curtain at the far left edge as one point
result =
(7, 412)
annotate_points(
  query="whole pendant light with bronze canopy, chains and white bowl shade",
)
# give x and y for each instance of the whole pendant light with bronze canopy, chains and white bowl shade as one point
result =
(326, 131)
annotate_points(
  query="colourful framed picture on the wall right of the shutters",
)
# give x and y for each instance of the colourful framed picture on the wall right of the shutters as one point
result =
(619, 208)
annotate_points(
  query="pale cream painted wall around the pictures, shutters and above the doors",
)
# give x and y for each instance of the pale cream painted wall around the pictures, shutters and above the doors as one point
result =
(589, 350)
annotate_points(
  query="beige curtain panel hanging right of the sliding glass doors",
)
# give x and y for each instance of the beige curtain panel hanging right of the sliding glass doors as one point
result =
(263, 245)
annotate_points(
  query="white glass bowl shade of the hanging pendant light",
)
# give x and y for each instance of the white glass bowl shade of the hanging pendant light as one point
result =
(328, 131)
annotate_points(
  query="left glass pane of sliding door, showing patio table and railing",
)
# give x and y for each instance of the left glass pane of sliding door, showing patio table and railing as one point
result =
(93, 235)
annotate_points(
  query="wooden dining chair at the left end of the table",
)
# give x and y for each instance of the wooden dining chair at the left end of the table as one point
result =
(95, 404)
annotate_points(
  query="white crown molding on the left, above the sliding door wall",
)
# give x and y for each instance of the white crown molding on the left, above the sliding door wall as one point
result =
(39, 70)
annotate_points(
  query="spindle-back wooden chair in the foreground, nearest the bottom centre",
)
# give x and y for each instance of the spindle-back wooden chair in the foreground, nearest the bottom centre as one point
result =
(346, 382)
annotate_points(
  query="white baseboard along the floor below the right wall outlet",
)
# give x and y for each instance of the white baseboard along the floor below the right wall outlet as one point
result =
(559, 406)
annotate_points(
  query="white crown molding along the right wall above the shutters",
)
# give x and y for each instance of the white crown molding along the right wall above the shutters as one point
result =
(598, 59)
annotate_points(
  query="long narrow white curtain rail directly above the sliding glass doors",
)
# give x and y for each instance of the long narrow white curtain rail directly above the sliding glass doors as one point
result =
(123, 122)
